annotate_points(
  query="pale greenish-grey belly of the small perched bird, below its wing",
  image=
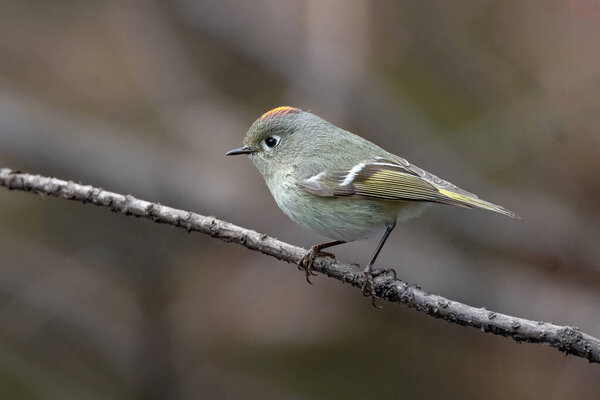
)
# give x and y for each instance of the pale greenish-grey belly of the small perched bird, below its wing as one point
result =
(340, 218)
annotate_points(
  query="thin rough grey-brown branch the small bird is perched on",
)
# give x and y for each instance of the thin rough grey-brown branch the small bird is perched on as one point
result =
(567, 339)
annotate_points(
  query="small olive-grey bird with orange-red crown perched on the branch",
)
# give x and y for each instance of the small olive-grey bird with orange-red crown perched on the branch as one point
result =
(340, 185)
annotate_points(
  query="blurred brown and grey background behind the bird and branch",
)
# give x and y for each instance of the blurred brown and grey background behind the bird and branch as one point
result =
(144, 97)
